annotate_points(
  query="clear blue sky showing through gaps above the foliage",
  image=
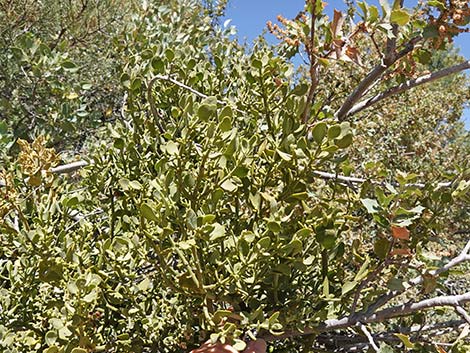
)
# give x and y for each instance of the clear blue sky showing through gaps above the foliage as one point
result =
(250, 17)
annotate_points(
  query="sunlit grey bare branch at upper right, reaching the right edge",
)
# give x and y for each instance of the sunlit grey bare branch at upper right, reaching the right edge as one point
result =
(409, 85)
